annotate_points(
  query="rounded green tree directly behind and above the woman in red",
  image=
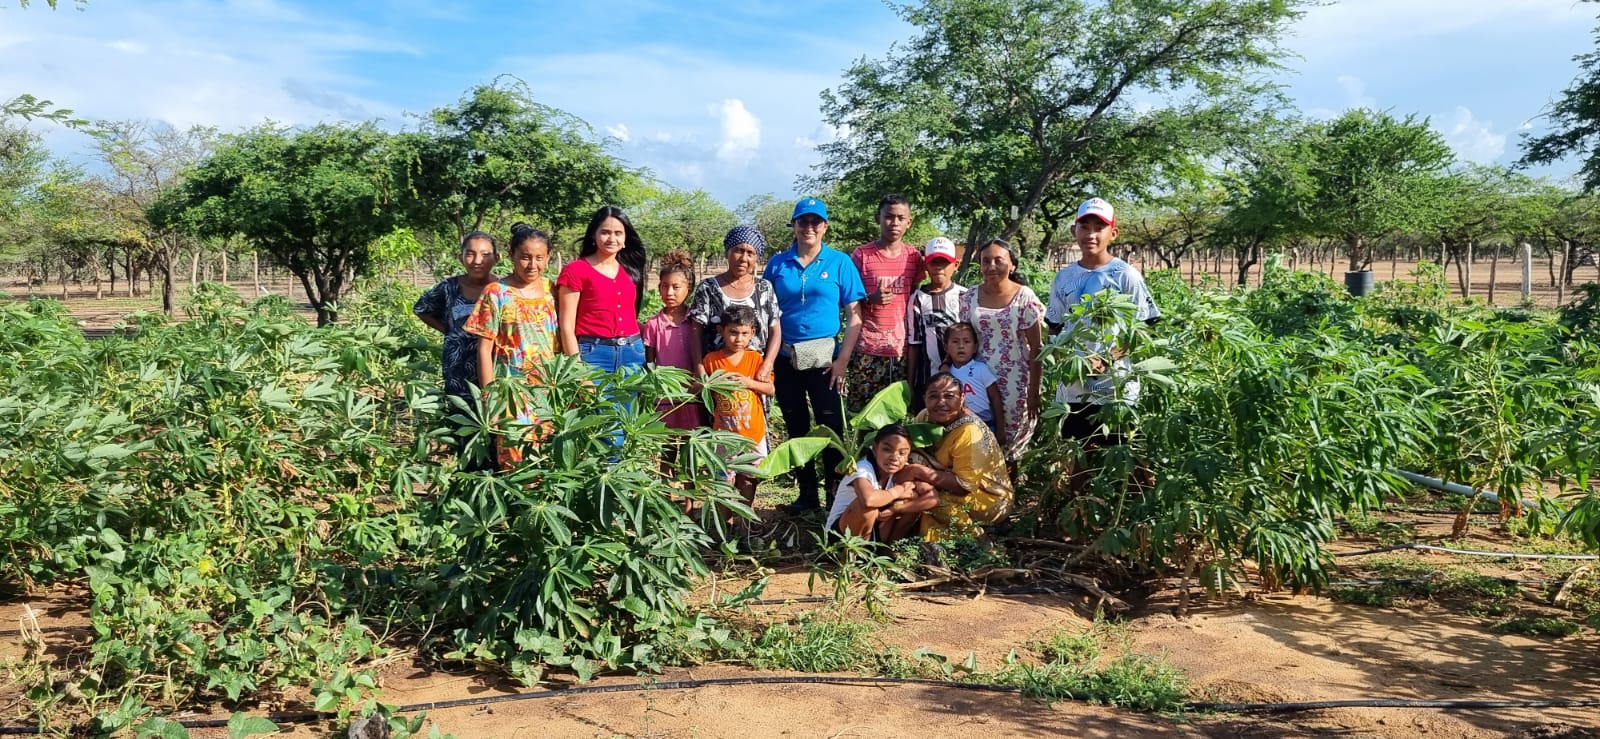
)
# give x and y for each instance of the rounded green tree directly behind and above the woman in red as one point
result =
(498, 154)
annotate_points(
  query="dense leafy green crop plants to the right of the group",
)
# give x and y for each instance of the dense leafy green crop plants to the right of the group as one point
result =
(1286, 407)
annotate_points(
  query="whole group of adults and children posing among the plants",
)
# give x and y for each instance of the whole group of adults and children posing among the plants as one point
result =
(818, 332)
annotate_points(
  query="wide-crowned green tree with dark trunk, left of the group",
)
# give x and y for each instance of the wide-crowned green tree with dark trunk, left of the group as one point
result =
(311, 201)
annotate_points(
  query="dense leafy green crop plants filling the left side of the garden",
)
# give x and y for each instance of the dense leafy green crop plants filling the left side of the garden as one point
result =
(255, 508)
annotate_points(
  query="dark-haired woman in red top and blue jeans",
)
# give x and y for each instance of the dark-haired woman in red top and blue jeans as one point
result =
(601, 292)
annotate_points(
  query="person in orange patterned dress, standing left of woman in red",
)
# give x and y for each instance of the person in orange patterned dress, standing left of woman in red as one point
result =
(516, 326)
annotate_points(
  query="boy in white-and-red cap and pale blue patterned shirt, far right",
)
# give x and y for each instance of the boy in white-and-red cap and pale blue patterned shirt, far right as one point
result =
(1095, 230)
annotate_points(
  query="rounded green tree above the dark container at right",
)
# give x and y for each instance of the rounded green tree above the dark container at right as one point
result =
(1372, 175)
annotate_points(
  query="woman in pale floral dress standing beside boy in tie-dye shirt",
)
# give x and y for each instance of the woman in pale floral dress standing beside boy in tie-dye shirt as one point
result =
(1009, 318)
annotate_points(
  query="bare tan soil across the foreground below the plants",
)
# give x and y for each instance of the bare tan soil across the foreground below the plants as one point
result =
(1254, 649)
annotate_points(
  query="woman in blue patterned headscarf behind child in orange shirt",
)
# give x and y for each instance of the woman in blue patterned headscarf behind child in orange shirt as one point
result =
(737, 286)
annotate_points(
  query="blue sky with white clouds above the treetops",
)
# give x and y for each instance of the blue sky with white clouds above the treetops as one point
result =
(714, 95)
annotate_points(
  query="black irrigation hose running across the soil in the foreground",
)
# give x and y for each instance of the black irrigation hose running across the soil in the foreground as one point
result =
(1217, 708)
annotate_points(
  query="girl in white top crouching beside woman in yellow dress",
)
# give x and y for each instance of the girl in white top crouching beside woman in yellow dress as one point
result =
(871, 505)
